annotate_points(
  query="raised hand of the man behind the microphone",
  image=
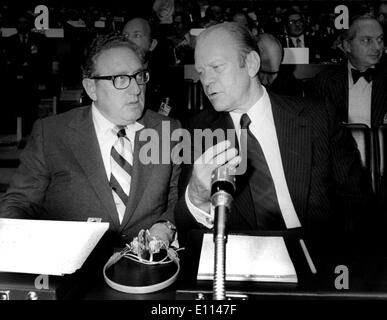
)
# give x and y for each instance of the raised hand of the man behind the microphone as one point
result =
(199, 187)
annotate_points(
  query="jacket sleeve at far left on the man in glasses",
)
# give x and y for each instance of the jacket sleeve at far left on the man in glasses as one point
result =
(26, 192)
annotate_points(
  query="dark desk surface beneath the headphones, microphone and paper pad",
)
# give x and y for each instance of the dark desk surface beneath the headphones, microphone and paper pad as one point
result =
(367, 279)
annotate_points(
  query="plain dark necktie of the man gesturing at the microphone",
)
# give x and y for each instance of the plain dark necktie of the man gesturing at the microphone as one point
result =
(261, 183)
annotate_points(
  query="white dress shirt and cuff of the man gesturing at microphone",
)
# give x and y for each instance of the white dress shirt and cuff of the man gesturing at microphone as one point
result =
(263, 128)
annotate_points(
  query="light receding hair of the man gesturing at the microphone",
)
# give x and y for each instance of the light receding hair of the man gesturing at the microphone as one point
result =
(244, 39)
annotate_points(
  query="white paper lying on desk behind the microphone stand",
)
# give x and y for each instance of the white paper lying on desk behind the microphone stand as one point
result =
(249, 258)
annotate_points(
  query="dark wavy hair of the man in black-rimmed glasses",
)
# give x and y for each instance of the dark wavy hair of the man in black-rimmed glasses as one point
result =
(103, 43)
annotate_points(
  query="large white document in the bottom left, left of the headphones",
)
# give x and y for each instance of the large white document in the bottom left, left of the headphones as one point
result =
(46, 246)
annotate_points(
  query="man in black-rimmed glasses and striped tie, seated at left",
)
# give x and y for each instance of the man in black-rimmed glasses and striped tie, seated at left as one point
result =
(88, 163)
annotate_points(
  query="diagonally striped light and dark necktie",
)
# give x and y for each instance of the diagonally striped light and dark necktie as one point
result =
(121, 160)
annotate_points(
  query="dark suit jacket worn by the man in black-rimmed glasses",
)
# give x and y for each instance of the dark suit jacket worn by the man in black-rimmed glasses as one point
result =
(62, 177)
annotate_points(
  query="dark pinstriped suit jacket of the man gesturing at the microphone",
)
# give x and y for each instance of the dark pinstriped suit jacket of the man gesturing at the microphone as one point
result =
(328, 187)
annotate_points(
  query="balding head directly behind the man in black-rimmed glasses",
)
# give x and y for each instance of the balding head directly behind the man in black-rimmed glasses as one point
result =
(139, 31)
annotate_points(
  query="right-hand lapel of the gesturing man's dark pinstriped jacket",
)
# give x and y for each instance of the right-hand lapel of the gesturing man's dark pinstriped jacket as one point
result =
(295, 143)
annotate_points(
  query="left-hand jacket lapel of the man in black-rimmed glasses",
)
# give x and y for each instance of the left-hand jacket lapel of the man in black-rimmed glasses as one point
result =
(83, 142)
